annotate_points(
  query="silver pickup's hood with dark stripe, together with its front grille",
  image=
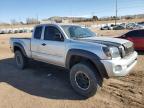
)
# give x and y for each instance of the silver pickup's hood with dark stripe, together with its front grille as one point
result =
(125, 47)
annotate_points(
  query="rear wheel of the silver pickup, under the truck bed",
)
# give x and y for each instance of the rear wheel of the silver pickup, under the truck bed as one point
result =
(21, 60)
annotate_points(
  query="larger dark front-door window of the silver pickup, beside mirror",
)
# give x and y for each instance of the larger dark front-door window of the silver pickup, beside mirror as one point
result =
(52, 33)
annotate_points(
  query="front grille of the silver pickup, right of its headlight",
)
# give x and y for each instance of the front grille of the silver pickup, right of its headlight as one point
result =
(128, 47)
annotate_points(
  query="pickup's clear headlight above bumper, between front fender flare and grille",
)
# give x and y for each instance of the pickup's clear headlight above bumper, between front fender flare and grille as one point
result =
(111, 52)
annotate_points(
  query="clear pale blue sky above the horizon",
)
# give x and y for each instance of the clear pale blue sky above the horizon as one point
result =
(21, 9)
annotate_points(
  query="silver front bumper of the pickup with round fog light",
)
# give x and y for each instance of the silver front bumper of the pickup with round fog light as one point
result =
(120, 67)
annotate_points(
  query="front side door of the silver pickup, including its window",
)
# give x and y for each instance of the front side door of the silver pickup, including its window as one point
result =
(52, 46)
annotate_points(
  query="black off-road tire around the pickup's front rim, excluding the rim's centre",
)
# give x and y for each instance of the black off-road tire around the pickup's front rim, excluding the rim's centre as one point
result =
(92, 75)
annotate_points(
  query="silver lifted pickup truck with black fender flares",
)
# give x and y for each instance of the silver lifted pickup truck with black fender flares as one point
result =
(88, 57)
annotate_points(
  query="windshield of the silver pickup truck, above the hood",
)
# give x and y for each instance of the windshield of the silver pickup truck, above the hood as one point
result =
(77, 31)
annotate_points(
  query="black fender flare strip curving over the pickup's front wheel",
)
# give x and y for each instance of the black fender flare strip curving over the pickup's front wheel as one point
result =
(89, 55)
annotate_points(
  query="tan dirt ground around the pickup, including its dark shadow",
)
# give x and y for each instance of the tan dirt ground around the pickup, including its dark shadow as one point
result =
(46, 86)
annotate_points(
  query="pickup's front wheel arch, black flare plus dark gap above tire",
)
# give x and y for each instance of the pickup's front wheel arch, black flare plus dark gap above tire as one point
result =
(75, 56)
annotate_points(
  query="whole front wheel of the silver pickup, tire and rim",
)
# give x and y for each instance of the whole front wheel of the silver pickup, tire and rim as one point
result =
(83, 79)
